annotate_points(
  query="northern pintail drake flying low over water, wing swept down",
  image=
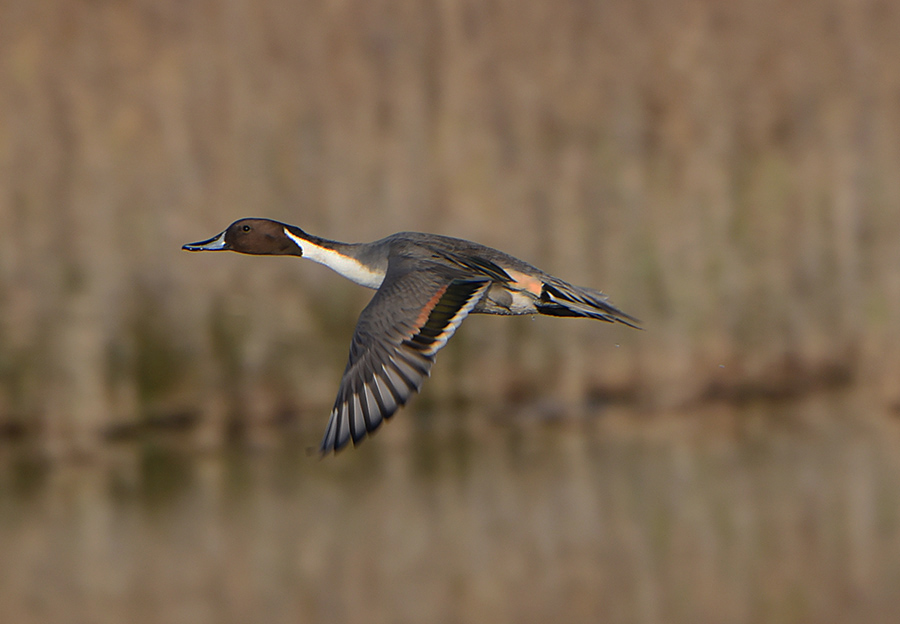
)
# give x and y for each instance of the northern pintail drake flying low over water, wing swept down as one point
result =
(426, 285)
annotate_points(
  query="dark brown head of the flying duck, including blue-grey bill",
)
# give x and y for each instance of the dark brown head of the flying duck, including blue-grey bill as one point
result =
(252, 236)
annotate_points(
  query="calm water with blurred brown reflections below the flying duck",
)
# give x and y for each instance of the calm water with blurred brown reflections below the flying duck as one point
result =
(788, 514)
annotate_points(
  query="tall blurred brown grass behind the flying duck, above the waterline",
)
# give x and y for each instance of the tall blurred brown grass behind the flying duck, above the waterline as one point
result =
(726, 171)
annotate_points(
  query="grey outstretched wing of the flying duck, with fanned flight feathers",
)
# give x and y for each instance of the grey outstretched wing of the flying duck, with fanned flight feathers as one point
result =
(410, 318)
